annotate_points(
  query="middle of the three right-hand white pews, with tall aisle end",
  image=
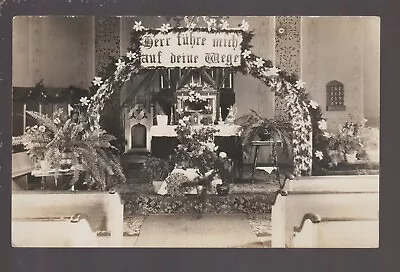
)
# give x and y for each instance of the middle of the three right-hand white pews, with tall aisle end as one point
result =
(290, 207)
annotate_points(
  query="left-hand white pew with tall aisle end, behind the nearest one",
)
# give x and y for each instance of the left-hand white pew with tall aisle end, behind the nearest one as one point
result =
(104, 209)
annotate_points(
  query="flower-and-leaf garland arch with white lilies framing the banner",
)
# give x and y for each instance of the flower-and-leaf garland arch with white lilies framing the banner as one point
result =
(304, 113)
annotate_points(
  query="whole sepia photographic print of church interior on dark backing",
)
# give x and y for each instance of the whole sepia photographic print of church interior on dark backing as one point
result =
(195, 131)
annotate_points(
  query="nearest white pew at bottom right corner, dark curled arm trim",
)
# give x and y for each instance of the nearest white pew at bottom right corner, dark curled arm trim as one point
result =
(338, 232)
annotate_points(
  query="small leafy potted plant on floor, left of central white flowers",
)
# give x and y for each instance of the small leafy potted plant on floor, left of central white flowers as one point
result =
(158, 170)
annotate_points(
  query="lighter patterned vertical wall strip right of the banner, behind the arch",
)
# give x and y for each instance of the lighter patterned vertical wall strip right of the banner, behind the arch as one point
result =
(287, 51)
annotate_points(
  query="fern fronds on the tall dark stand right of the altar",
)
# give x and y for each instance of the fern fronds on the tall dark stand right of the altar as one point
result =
(255, 127)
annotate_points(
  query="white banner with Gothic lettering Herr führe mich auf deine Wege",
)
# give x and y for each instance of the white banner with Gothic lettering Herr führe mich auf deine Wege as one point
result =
(191, 49)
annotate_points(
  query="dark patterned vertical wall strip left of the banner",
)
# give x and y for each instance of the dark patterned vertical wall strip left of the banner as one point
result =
(107, 40)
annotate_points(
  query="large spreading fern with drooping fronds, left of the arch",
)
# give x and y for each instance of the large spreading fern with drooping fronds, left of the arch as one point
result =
(93, 156)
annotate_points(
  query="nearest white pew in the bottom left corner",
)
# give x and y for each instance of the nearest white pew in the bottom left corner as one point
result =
(70, 231)
